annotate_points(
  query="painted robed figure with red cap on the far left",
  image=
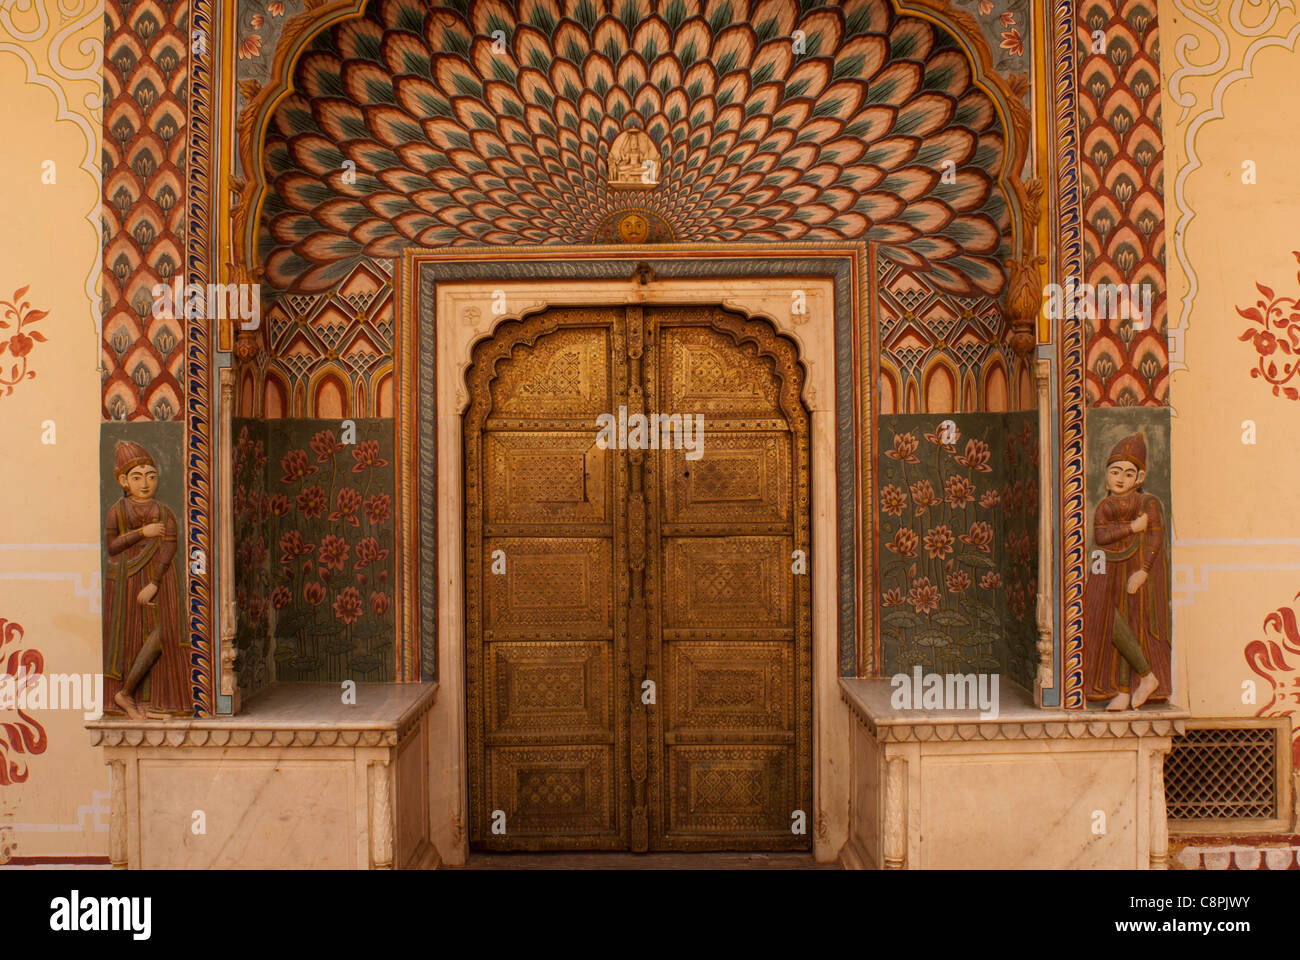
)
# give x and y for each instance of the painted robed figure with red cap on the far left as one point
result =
(145, 656)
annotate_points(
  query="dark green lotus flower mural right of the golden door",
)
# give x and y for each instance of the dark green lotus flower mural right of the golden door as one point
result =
(957, 576)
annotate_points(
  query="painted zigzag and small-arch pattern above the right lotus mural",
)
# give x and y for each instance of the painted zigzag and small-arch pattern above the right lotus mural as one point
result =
(928, 335)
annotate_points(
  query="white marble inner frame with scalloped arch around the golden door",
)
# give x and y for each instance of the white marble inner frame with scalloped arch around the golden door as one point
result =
(465, 317)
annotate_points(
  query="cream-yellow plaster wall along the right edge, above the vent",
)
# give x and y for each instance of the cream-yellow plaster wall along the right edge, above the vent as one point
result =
(1229, 100)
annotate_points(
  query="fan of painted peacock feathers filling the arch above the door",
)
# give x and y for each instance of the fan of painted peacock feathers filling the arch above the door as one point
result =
(457, 144)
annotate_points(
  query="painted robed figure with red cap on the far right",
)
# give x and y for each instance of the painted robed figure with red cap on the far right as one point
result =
(1126, 607)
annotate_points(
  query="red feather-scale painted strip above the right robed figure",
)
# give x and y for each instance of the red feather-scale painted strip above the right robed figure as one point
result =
(1124, 205)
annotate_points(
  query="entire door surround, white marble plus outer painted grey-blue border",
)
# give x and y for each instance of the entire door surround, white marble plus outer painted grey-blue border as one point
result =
(460, 310)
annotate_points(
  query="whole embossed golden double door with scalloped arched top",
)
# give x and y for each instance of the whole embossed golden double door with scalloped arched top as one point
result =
(639, 642)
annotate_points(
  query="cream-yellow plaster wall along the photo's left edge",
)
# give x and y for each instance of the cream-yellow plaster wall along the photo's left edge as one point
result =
(50, 581)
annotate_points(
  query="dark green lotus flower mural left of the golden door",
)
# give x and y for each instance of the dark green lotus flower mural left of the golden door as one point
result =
(315, 551)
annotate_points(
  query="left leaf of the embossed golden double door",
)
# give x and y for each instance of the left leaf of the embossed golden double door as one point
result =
(547, 674)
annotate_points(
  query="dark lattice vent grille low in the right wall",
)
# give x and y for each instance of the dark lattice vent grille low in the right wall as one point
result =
(1223, 775)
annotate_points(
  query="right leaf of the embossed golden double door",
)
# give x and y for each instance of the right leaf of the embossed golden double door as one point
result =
(734, 620)
